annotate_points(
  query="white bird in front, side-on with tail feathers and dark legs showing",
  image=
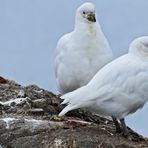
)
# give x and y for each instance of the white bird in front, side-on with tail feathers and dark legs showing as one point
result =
(118, 89)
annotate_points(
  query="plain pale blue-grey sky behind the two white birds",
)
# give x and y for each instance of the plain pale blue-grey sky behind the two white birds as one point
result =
(30, 29)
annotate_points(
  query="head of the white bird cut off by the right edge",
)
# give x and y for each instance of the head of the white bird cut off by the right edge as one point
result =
(140, 46)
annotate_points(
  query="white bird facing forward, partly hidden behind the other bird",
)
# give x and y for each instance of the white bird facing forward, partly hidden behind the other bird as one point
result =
(81, 53)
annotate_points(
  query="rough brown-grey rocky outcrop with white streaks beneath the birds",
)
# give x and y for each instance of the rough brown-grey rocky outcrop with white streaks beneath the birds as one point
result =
(28, 119)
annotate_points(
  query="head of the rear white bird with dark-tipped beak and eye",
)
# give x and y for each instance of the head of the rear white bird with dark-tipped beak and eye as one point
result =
(86, 13)
